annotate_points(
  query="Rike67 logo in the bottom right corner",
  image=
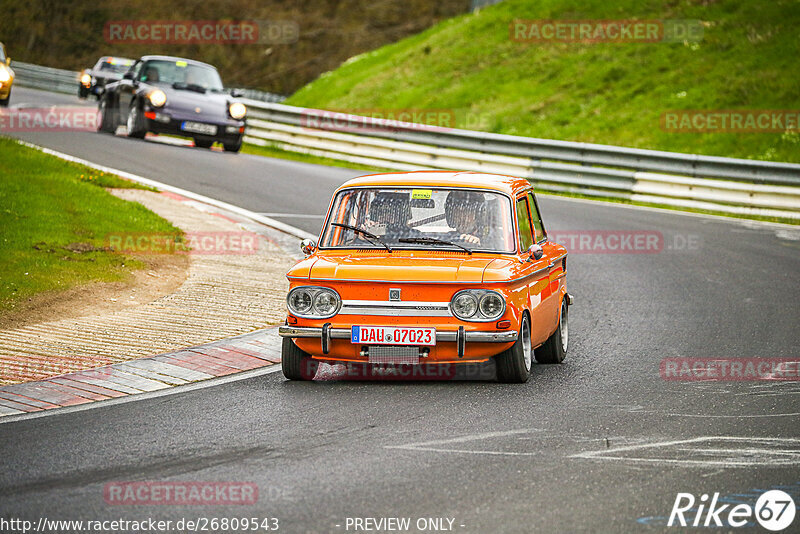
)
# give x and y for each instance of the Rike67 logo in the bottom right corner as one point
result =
(774, 510)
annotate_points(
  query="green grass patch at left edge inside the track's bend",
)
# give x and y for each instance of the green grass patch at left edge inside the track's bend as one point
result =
(54, 219)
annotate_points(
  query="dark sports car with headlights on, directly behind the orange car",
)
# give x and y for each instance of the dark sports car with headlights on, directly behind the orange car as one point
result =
(177, 96)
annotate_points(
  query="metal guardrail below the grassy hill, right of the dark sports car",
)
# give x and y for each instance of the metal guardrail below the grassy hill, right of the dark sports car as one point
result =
(748, 187)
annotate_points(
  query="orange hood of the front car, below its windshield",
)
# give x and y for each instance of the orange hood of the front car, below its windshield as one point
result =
(397, 267)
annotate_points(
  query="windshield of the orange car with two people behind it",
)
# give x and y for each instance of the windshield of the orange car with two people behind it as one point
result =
(420, 217)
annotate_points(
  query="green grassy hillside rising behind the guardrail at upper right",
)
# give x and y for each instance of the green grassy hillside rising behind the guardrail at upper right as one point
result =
(610, 93)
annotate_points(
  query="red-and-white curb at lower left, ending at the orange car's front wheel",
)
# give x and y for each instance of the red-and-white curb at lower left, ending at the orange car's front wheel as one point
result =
(251, 354)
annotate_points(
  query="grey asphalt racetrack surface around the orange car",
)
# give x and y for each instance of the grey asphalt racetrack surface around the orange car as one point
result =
(601, 443)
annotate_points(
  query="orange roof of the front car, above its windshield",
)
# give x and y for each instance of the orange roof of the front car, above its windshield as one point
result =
(509, 185)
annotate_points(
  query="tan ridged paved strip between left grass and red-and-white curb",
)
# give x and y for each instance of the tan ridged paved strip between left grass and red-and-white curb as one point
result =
(233, 287)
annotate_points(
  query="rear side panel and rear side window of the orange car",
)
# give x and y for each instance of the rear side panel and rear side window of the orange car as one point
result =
(555, 255)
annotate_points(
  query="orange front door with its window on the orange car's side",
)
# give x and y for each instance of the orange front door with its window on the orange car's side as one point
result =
(535, 272)
